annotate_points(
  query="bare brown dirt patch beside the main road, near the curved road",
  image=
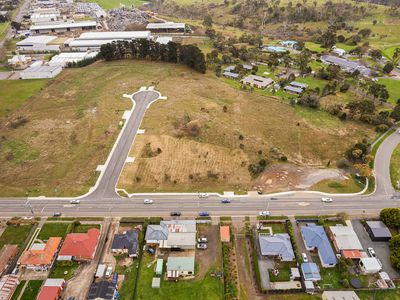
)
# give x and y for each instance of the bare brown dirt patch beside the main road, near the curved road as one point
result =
(290, 177)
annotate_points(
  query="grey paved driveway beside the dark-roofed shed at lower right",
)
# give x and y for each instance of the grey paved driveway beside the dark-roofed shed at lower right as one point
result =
(381, 248)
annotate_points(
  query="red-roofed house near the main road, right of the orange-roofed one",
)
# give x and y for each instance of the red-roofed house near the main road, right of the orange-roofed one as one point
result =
(80, 246)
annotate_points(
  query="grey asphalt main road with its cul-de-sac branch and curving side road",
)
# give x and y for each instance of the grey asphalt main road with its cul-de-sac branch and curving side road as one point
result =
(103, 200)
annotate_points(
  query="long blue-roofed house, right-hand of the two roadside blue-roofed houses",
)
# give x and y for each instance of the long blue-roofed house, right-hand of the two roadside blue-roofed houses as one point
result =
(316, 239)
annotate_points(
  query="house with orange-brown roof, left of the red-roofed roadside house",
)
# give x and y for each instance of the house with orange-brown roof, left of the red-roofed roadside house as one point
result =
(41, 256)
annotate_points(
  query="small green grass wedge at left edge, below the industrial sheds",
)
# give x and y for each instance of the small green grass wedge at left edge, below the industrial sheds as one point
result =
(15, 92)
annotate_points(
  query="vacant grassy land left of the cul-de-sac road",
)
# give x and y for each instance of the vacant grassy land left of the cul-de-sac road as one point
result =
(53, 142)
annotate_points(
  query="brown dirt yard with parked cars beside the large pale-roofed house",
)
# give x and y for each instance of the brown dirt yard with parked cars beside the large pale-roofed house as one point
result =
(209, 257)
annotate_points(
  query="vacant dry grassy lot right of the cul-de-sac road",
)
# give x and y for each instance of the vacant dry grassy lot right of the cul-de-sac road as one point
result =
(208, 132)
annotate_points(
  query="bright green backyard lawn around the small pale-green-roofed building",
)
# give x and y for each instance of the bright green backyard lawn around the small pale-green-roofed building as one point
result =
(208, 287)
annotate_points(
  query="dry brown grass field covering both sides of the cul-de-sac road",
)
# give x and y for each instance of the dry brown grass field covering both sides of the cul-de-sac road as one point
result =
(73, 123)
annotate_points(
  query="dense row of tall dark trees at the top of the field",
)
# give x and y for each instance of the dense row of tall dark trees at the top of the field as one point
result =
(189, 55)
